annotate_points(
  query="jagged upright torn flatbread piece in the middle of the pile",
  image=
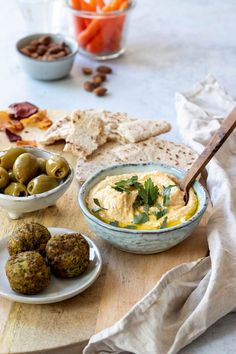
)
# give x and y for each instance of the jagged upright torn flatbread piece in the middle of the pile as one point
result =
(87, 134)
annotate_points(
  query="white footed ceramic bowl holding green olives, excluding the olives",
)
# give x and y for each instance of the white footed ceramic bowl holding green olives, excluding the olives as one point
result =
(18, 206)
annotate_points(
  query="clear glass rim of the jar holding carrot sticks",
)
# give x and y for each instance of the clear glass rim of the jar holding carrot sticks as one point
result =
(92, 14)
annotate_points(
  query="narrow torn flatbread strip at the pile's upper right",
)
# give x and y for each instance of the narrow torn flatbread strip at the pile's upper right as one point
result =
(138, 130)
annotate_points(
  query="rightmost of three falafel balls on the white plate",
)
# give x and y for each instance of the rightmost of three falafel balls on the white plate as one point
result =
(68, 255)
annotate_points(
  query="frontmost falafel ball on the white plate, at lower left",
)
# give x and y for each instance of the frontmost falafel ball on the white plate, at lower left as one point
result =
(27, 273)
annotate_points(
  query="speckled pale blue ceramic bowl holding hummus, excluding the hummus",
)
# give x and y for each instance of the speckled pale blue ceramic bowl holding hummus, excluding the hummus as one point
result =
(141, 241)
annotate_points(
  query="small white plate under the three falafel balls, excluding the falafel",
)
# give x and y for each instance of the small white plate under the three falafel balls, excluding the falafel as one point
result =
(58, 289)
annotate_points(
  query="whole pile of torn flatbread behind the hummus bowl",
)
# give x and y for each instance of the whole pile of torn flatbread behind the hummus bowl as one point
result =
(102, 138)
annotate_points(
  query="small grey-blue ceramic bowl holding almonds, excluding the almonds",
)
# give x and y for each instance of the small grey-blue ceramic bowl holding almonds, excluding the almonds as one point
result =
(45, 69)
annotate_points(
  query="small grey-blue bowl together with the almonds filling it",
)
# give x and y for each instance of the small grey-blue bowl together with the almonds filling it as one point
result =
(47, 56)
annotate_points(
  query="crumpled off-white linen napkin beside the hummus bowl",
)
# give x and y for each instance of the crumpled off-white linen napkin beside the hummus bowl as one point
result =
(191, 297)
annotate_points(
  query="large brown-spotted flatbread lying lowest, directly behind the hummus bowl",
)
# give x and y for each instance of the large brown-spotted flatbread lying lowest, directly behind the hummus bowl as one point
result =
(151, 150)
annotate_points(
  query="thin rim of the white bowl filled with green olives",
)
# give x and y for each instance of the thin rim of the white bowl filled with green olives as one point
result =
(46, 194)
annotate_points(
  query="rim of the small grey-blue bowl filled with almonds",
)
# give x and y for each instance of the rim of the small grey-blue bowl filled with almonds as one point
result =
(67, 39)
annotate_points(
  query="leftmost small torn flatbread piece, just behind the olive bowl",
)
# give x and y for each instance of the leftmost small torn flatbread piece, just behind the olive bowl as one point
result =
(58, 131)
